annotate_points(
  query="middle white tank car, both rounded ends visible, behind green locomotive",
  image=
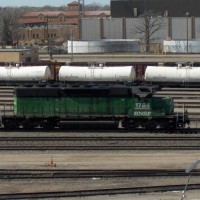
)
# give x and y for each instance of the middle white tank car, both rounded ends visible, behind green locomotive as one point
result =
(97, 74)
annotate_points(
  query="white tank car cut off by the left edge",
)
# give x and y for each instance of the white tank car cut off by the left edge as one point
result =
(24, 73)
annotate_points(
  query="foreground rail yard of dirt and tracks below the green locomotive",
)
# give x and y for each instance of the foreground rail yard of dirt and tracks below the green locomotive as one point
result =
(96, 171)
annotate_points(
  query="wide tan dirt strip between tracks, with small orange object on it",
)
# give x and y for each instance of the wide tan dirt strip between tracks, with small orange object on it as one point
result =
(100, 160)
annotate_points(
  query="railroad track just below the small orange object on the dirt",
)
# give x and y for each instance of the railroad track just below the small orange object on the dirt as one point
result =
(87, 173)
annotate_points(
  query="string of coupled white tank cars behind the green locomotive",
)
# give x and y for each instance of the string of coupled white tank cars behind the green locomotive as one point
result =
(164, 76)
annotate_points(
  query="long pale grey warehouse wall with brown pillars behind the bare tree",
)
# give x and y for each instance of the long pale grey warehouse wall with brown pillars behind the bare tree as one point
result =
(124, 28)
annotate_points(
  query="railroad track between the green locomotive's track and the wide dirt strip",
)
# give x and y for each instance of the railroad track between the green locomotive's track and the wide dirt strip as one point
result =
(99, 143)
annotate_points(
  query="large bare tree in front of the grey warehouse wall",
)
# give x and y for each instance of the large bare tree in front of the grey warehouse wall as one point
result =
(148, 25)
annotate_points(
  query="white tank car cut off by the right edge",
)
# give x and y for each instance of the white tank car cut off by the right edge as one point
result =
(172, 74)
